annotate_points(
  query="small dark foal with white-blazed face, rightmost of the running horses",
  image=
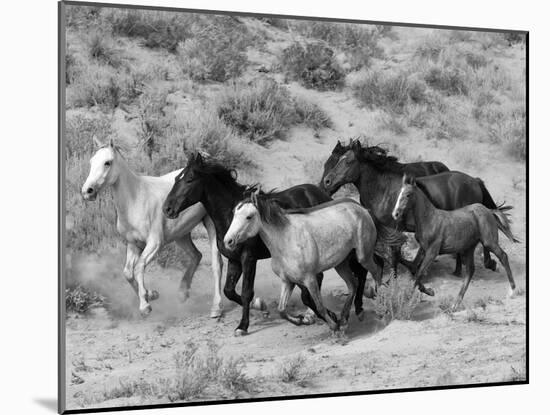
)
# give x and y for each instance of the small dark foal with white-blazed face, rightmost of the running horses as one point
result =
(453, 232)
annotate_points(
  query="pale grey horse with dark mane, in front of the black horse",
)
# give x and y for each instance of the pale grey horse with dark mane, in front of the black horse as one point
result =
(305, 242)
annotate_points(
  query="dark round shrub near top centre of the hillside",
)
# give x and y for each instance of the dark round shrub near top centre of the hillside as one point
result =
(313, 65)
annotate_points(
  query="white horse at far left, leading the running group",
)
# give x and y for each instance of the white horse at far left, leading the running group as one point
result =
(140, 221)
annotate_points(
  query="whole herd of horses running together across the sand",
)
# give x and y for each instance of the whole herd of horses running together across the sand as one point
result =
(302, 229)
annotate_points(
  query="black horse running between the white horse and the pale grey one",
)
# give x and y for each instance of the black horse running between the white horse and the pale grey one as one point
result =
(216, 188)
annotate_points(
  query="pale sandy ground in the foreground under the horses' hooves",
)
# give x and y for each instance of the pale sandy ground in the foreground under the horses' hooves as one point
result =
(477, 345)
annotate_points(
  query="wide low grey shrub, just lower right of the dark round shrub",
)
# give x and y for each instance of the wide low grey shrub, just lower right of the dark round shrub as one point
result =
(389, 90)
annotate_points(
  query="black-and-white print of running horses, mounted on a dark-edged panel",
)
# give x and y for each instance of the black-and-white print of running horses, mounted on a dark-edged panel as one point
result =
(259, 207)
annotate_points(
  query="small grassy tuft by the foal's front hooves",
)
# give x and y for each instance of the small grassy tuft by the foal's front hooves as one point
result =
(397, 300)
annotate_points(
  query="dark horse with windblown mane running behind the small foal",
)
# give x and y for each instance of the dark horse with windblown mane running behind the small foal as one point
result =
(378, 176)
